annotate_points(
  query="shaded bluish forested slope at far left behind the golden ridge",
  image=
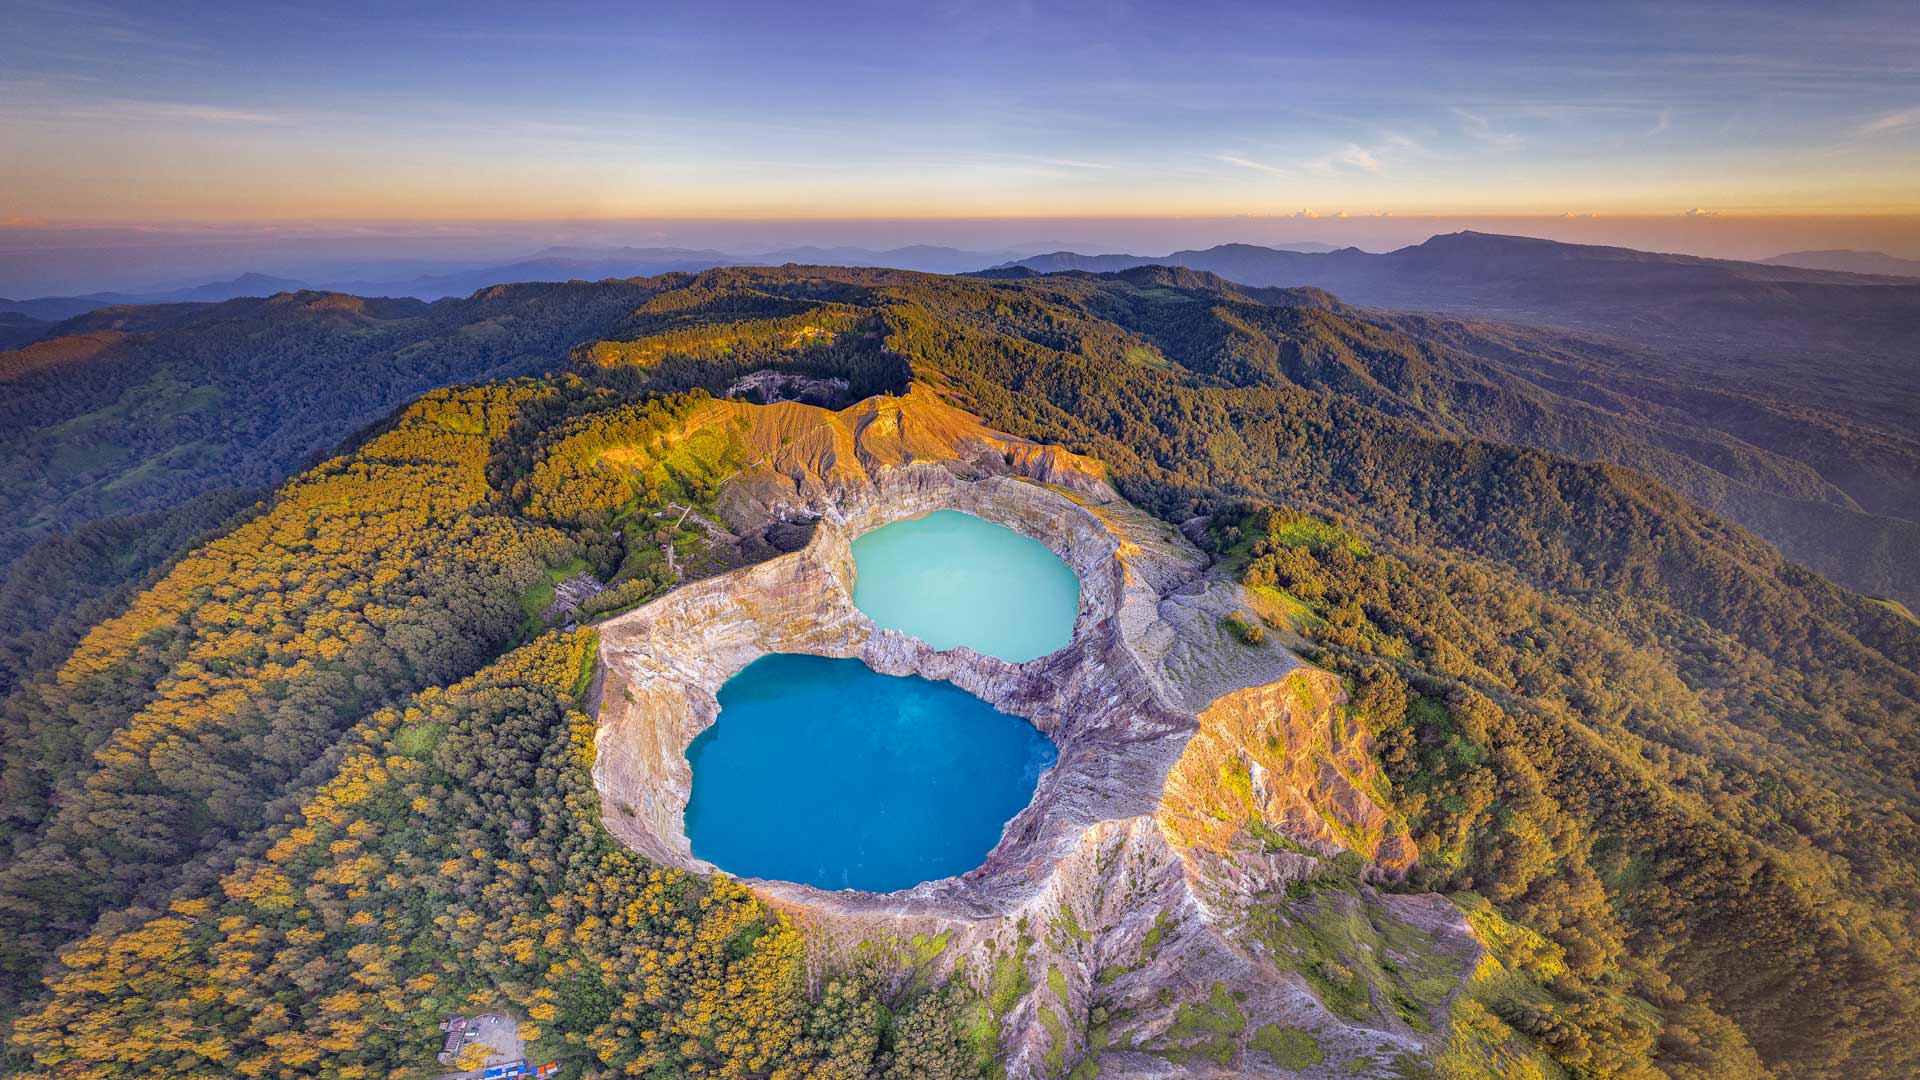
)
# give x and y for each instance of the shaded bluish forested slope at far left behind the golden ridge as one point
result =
(132, 410)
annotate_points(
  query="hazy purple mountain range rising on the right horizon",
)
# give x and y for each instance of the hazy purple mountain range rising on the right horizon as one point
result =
(1716, 312)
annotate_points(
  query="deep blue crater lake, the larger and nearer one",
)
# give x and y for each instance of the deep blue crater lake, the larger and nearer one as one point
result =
(828, 773)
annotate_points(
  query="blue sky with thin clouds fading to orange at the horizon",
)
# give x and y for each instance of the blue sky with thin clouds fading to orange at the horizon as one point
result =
(314, 114)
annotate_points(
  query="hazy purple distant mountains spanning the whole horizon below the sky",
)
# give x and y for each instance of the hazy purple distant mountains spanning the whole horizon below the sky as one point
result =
(1812, 364)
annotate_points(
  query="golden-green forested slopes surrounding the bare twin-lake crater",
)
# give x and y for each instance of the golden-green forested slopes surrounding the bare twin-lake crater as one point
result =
(299, 797)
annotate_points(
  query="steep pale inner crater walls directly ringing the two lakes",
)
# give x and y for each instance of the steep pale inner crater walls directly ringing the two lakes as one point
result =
(665, 666)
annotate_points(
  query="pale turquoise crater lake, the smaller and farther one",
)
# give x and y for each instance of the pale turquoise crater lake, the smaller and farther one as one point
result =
(953, 579)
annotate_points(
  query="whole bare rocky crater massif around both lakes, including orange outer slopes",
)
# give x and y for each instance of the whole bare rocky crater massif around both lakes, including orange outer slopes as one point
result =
(1134, 914)
